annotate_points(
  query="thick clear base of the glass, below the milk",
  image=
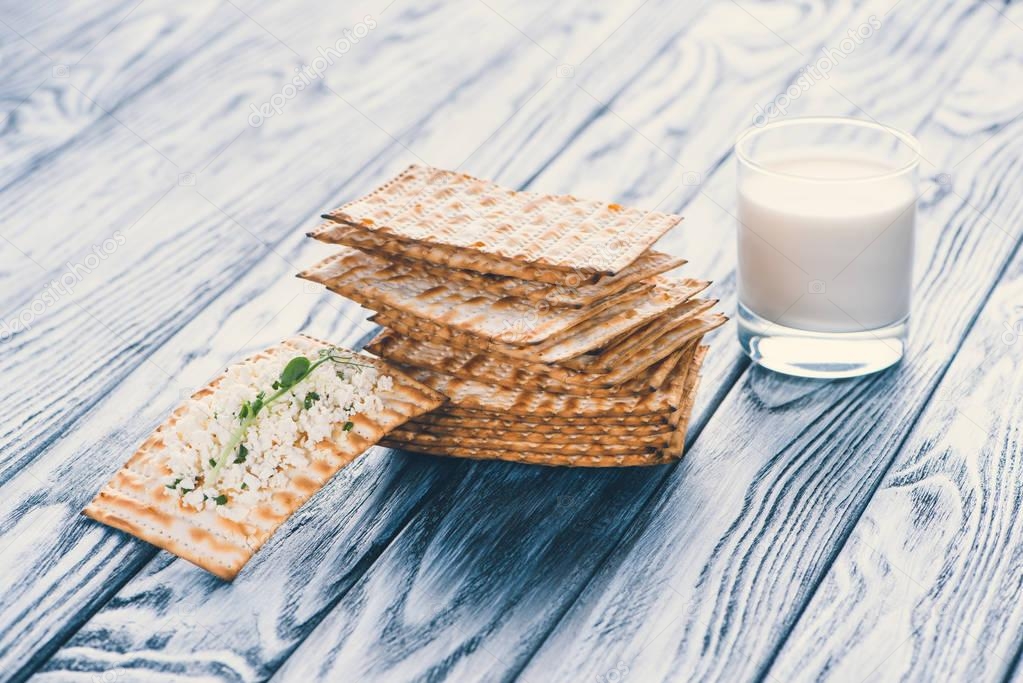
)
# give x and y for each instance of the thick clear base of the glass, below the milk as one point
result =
(820, 355)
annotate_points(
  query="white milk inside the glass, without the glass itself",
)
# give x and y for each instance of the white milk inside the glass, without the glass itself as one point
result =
(826, 242)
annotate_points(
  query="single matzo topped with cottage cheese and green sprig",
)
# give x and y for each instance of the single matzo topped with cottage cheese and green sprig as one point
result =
(244, 453)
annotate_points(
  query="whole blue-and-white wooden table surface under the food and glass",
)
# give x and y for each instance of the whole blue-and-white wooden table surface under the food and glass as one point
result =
(857, 530)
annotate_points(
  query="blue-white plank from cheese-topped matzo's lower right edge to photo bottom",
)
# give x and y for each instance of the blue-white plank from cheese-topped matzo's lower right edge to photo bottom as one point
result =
(307, 566)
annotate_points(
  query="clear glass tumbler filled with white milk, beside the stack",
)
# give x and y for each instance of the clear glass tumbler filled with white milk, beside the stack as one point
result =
(827, 214)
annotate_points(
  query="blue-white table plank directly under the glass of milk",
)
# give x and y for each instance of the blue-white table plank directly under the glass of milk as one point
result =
(726, 559)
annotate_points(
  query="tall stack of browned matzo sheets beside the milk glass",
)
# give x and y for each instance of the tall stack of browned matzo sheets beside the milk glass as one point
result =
(547, 322)
